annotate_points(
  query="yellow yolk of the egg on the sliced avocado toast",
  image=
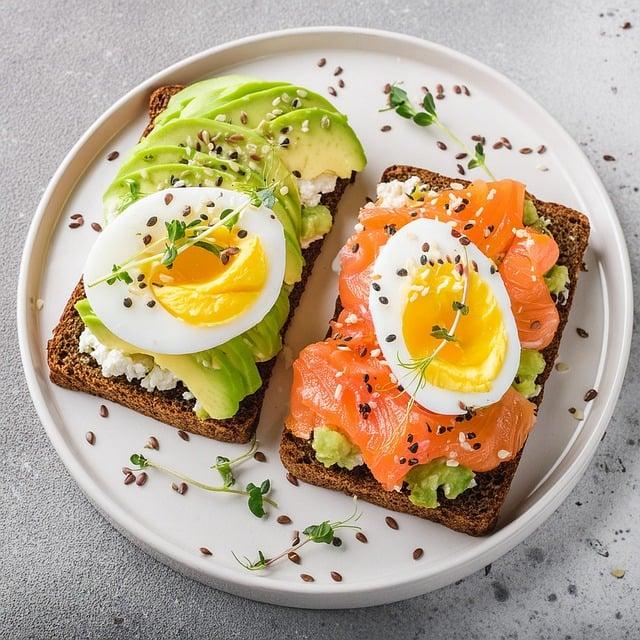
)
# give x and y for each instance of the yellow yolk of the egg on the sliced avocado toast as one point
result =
(201, 290)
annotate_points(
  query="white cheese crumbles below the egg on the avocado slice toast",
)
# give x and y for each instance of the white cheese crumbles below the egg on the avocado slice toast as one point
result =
(114, 362)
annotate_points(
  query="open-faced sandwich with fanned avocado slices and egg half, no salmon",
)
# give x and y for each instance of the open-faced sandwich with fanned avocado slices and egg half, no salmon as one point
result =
(213, 222)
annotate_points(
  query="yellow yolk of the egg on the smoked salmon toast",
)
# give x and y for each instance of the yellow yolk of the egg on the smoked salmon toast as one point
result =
(472, 361)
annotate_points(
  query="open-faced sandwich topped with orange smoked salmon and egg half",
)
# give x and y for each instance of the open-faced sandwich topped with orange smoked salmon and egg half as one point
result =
(452, 301)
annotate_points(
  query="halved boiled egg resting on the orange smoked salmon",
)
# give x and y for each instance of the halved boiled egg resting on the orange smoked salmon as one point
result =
(443, 319)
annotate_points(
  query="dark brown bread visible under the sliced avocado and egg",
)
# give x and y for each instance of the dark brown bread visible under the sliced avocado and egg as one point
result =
(71, 369)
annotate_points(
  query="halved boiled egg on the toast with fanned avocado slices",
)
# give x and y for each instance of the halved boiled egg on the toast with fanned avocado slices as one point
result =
(212, 291)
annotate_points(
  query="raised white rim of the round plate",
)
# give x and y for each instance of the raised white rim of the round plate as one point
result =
(265, 588)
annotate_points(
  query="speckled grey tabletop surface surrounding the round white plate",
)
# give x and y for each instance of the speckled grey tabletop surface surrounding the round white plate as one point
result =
(64, 572)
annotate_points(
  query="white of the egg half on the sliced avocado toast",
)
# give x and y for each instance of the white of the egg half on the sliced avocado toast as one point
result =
(155, 329)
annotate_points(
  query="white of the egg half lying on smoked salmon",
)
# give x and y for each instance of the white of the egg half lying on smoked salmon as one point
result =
(403, 251)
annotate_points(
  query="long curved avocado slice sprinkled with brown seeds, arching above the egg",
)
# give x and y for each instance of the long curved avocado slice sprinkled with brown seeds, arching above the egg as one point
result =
(246, 147)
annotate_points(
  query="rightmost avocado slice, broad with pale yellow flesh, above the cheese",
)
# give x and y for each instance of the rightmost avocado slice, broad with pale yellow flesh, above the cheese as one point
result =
(315, 141)
